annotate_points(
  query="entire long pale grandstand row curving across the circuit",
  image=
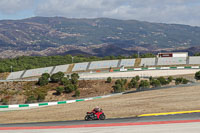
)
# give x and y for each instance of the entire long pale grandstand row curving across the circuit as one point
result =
(106, 64)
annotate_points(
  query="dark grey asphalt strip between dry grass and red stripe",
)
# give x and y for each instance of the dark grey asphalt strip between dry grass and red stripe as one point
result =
(192, 116)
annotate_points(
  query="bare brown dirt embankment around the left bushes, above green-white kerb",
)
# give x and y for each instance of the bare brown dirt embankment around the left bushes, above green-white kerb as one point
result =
(15, 92)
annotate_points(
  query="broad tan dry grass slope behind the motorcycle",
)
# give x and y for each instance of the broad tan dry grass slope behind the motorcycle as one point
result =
(166, 100)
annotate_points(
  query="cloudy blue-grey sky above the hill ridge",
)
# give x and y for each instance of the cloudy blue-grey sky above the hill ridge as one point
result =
(164, 11)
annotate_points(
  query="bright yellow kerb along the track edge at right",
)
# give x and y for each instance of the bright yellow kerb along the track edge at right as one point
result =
(169, 113)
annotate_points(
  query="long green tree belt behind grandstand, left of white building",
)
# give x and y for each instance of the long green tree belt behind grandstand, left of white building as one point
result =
(32, 62)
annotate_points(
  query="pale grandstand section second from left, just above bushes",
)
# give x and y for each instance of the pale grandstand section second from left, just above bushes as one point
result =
(37, 72)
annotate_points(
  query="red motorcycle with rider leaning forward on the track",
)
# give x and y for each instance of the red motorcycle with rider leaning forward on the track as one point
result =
(94, 115)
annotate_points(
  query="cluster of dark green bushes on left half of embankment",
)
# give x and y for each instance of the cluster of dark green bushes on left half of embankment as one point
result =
(66, 85)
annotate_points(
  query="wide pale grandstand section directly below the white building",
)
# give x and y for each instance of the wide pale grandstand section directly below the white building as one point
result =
(172, 61)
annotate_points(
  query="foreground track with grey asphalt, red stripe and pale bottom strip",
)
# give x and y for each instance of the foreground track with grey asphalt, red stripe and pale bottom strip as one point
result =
(182, 123)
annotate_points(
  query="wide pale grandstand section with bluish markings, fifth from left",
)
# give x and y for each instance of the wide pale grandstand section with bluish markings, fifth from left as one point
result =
(103, 64)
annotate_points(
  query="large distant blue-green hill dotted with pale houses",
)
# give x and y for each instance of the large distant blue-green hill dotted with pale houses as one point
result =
(34, 36)
